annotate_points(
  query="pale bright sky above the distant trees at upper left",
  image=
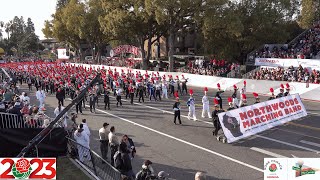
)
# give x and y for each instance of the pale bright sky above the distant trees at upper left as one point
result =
(37, 10)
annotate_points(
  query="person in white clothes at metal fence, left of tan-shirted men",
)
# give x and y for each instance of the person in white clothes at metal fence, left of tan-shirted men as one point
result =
(83, 146)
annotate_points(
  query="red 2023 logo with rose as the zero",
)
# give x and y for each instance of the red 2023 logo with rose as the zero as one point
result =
(27, 168)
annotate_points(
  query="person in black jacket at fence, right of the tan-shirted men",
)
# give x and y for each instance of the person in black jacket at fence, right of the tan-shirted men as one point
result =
(126, 168)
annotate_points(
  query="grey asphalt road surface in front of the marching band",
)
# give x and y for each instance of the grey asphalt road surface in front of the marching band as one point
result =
(182, 150)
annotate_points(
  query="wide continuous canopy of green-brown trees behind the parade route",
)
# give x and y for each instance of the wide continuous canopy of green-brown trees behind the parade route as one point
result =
(227, 29)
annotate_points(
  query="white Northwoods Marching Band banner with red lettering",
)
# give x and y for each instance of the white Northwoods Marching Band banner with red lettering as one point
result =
(247, 121)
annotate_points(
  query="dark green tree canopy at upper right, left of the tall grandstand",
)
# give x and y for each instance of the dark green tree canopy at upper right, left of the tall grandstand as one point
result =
(234, 29)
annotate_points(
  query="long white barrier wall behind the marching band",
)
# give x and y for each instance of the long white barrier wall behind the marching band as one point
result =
(259, 86)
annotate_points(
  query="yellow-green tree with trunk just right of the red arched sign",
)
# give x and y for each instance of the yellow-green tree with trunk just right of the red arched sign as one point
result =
(128, 20)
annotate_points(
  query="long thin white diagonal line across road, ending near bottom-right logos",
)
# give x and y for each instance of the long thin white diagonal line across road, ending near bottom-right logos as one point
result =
(183, 141)
